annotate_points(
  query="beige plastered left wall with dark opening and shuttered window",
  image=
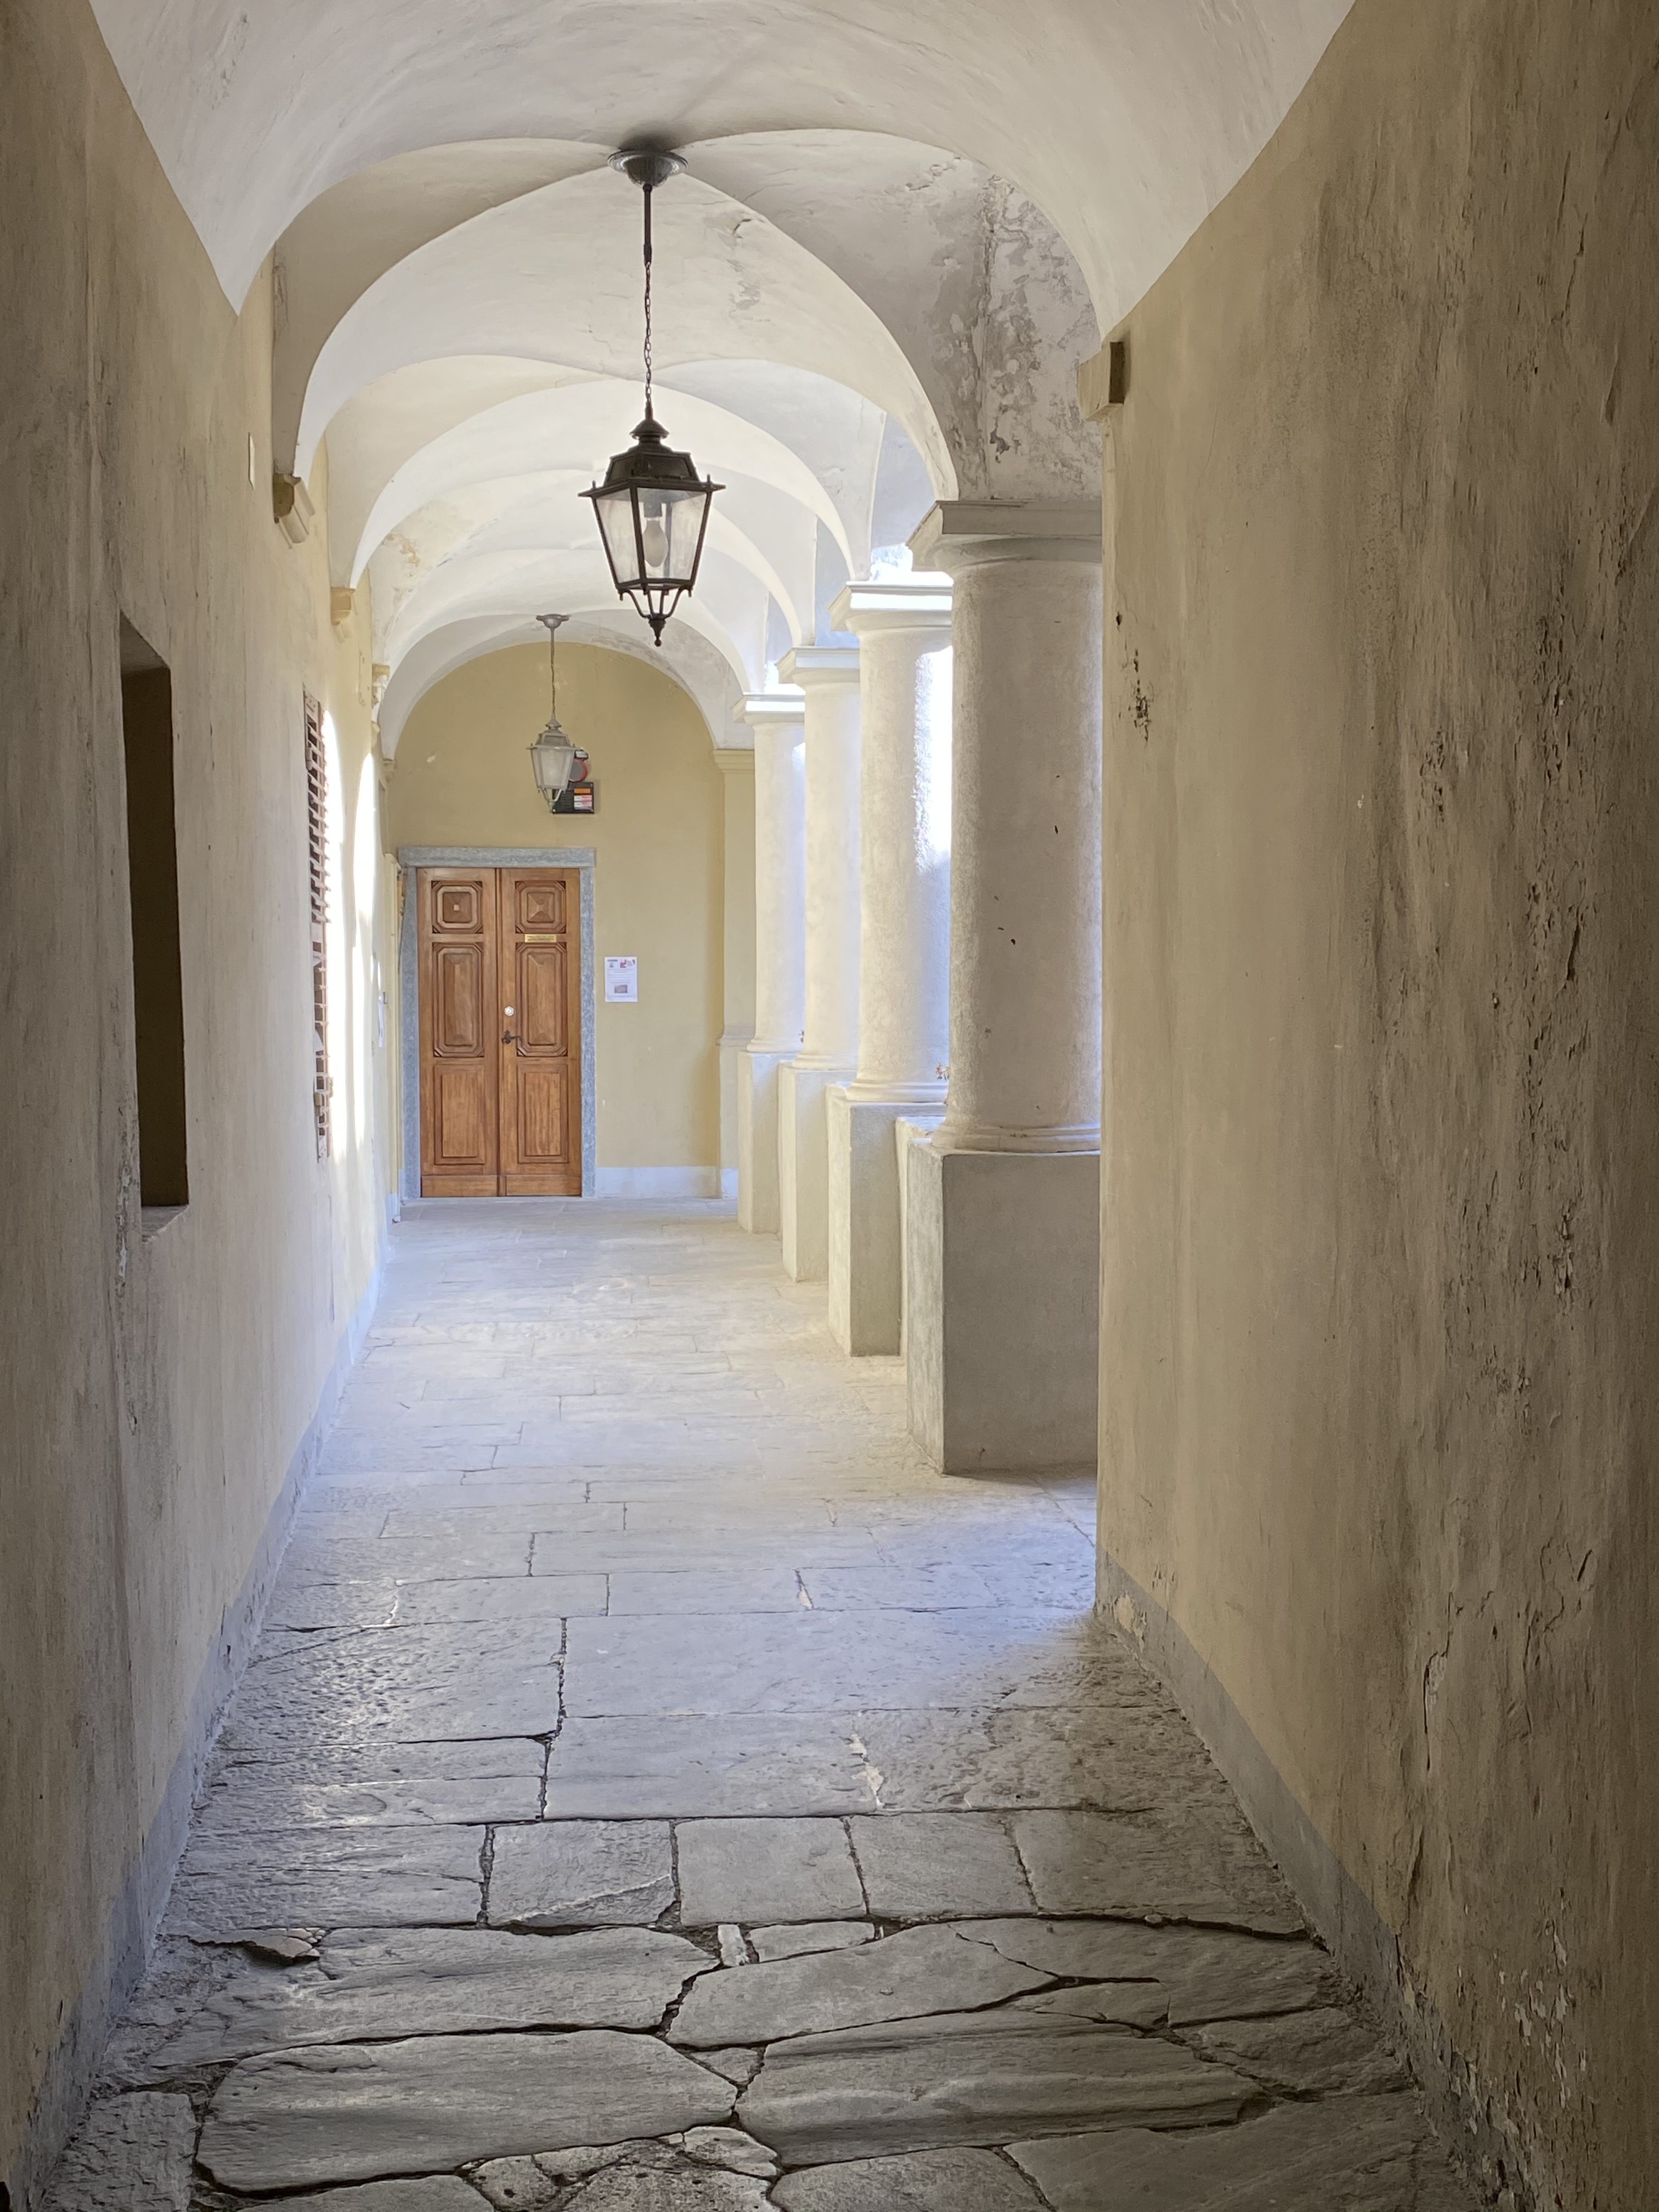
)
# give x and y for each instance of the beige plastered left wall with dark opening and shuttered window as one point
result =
(158, 1395)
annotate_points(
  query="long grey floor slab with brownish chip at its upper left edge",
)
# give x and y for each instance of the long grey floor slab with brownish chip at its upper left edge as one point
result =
(375, 1987)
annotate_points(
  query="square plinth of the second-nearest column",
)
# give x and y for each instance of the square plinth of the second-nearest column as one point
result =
(866, 1222)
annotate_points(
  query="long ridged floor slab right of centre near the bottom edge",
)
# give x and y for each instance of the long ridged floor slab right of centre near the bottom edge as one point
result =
(974, 2078)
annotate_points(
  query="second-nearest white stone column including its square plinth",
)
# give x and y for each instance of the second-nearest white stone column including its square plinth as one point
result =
(904, 632)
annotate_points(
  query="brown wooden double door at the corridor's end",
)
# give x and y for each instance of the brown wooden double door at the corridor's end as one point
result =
(501, 1032)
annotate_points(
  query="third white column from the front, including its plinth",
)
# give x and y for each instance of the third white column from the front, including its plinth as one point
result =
(828, 676)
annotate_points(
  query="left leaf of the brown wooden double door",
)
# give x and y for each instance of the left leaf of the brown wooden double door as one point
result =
(459, 1056)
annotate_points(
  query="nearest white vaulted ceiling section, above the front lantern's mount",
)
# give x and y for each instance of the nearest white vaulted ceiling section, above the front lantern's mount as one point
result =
(1123, 121)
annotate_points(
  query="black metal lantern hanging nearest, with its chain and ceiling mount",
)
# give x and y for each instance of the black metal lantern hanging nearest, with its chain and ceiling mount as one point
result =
(651, 505)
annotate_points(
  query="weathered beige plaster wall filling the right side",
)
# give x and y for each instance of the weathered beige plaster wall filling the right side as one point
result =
(1381, 1213)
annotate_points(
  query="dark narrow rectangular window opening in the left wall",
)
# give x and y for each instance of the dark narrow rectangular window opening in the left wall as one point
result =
(154, 895)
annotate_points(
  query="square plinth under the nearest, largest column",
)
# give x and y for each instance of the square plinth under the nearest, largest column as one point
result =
(1003, 1328)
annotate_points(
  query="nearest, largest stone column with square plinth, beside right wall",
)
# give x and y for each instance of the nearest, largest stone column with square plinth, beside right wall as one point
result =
(1003, 1202)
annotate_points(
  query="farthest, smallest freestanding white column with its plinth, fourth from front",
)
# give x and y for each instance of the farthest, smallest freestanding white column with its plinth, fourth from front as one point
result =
(780, 950)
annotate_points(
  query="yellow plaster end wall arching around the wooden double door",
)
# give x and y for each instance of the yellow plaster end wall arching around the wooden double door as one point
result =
(463, 778)
